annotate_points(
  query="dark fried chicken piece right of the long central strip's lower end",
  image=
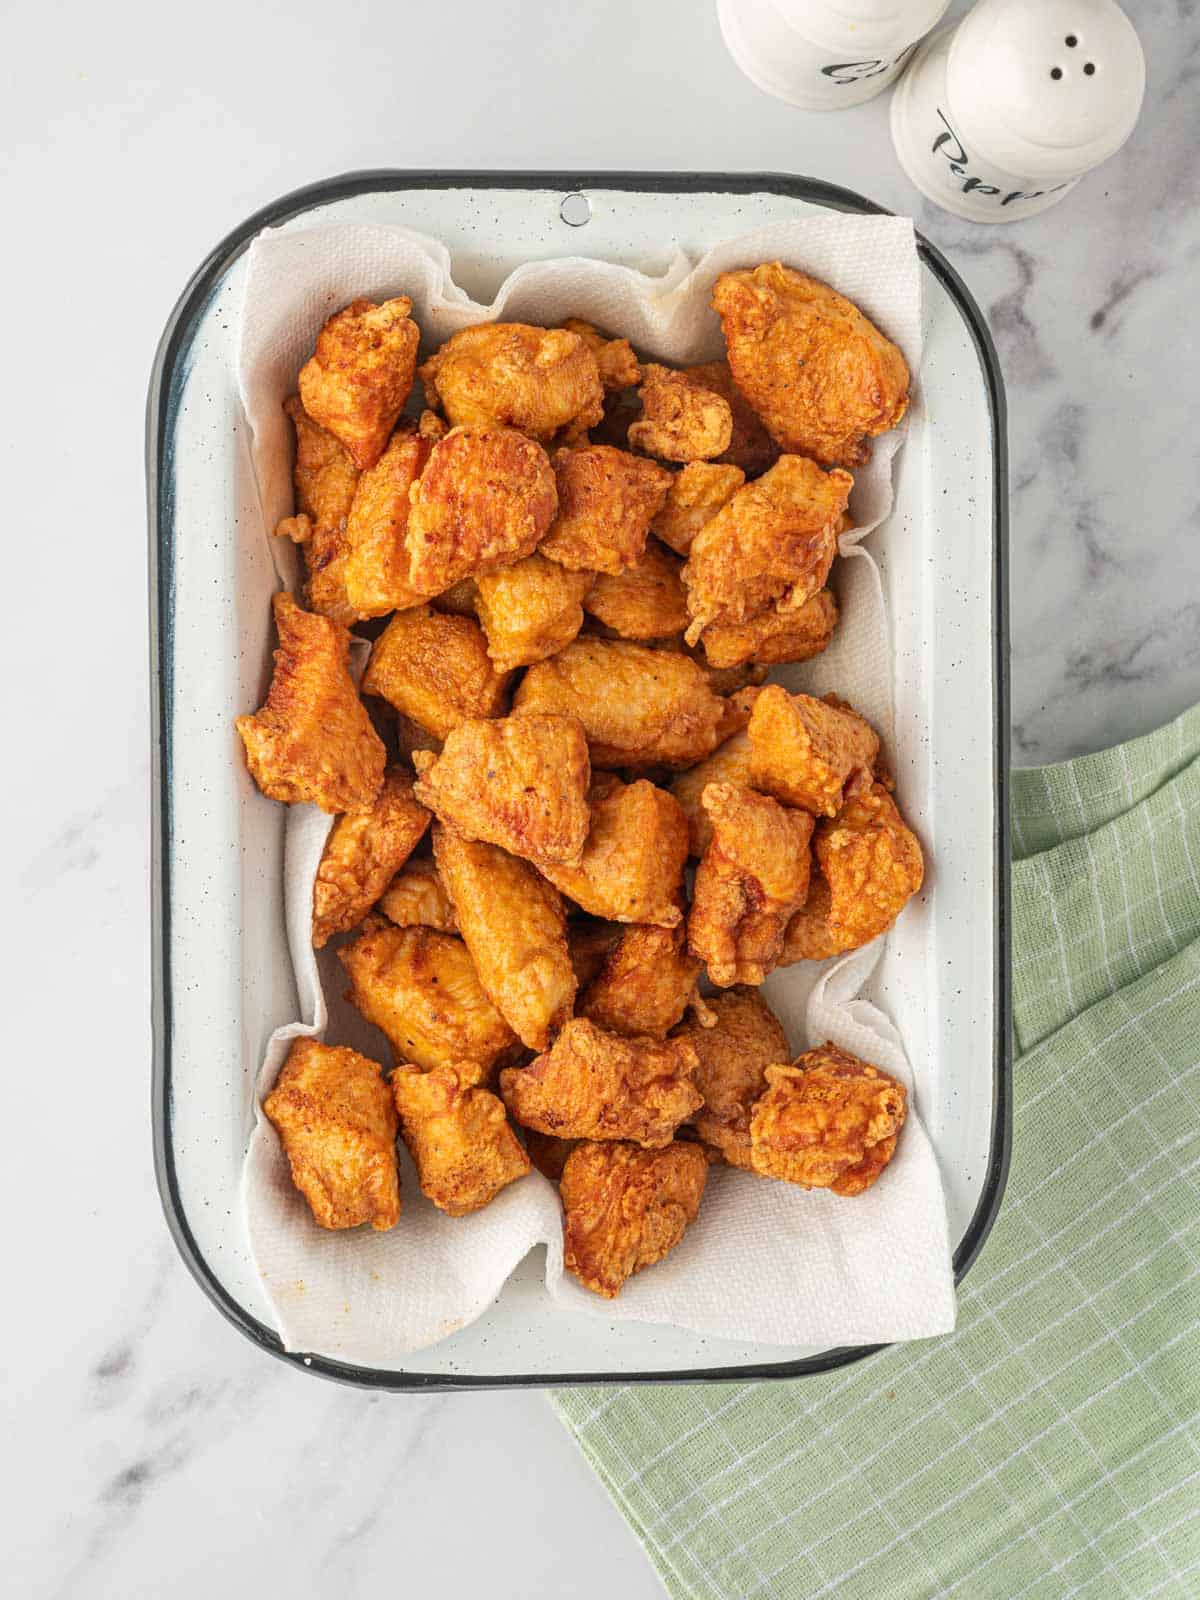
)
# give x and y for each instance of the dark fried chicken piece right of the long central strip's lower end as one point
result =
(646, 985)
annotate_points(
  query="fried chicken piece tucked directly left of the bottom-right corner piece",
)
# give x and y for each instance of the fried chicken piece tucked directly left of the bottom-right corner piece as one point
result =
(734, 1058)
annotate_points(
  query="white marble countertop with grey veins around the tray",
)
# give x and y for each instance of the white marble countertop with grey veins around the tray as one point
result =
(153, 1450)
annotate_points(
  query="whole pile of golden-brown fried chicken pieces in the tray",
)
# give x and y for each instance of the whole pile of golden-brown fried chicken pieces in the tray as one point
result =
(586, 566)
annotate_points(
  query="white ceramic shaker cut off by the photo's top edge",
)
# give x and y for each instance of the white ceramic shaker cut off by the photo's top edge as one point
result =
(825, 55)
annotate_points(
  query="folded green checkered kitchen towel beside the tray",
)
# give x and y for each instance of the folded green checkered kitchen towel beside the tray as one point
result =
(1052, 1446)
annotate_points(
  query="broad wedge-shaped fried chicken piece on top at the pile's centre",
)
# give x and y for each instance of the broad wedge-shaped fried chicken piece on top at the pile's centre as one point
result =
(519, 783)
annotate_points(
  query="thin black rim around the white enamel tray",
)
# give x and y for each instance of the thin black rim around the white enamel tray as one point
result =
(166, 390)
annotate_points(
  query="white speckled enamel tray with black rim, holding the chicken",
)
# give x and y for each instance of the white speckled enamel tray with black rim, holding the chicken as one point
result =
(223, 978)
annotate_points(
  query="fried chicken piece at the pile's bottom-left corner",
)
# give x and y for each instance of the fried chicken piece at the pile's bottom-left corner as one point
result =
(337, 1122)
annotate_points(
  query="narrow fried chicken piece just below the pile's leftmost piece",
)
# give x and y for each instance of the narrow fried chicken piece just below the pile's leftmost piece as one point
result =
(362, 855)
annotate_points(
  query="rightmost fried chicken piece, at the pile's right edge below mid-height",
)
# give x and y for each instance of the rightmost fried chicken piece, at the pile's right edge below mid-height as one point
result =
(868, 868)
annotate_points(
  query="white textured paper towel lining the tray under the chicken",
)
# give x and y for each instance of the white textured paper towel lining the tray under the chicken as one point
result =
(764, 1262)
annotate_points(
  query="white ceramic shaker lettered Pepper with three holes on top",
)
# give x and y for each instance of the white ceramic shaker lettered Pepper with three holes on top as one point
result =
(1001, 118)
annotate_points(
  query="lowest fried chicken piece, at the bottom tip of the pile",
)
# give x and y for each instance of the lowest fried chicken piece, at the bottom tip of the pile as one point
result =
(626, 1209)
